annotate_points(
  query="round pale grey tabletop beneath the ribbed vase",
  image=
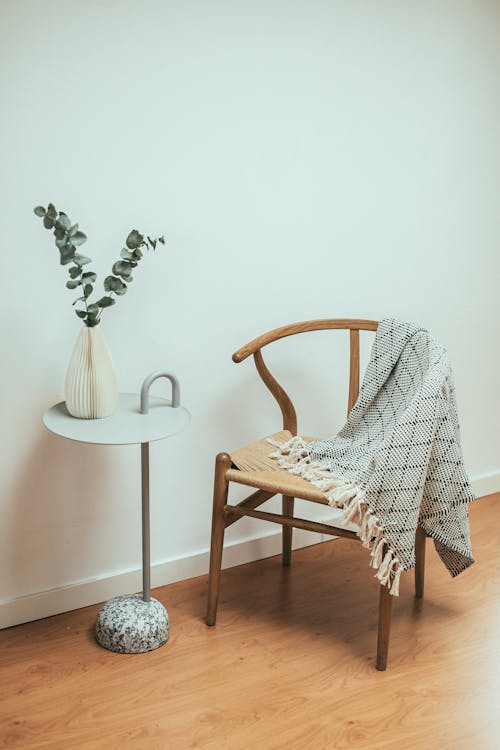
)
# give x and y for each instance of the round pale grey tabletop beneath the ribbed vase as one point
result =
(127, 425)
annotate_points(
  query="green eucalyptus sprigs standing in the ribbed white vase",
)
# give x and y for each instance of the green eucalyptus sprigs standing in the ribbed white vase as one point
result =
(68, 237)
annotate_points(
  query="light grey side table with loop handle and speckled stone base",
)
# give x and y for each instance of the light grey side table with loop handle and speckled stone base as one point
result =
(130, 624)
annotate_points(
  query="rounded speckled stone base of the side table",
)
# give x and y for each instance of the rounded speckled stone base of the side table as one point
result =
(129, 625)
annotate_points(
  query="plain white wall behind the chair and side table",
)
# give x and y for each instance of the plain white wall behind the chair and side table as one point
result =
(305, 159)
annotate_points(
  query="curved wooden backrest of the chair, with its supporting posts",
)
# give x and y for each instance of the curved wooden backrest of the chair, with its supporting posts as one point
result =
(254, 347)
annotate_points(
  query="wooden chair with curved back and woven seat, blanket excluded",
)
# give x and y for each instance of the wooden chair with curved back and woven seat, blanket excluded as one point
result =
(240, 467)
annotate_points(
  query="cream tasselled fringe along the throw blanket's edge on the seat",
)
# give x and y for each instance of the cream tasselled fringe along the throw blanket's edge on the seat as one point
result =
(349, 497)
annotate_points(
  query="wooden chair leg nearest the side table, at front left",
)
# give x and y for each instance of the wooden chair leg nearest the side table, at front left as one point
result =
(222, 464)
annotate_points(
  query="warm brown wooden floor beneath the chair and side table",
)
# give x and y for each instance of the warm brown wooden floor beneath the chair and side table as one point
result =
(289, 665)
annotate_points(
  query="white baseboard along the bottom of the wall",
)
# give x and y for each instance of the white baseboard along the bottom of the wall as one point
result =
(83, 593)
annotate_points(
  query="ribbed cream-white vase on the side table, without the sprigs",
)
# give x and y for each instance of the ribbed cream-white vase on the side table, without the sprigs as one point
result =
(91, 390)
